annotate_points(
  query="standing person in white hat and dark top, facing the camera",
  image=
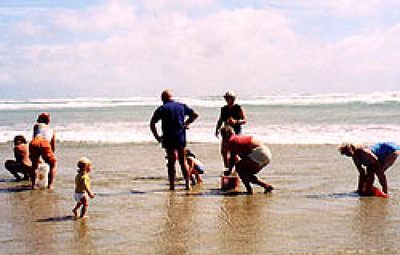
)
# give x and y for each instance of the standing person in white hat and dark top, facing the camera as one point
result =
(232, 115)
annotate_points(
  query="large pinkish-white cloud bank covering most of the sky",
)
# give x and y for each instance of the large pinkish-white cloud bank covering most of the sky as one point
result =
(254, 51)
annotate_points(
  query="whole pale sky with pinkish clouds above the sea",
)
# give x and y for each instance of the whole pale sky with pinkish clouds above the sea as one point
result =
(126, 48)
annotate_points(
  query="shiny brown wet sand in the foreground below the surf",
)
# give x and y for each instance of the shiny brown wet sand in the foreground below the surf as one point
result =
(312, 210)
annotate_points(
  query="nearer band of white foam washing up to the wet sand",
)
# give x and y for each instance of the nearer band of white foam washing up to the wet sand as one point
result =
(271, 134)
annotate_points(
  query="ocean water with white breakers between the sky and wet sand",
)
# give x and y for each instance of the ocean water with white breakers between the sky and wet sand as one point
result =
(293, 119)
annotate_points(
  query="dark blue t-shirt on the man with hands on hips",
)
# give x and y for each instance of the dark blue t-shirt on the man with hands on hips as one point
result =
(172, 115)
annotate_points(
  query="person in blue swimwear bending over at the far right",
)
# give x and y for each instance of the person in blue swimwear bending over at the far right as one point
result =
(370, 161)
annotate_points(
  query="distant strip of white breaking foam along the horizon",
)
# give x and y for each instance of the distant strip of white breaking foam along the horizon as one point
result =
(275, 100)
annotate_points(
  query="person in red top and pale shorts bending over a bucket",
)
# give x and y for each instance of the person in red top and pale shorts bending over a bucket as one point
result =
(248, 156)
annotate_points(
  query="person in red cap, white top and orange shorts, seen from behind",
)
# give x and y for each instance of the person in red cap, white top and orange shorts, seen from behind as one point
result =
(43, 145)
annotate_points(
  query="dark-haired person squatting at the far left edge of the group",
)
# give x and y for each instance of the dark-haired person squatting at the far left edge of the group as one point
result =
(22, 164)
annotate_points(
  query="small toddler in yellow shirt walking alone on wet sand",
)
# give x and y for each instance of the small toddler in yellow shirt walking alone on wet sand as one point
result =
(82, 187)
